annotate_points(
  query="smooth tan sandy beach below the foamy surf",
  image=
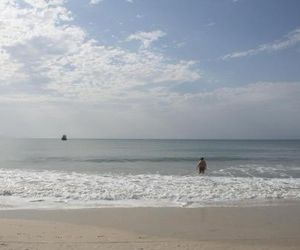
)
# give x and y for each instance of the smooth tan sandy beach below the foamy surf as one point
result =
(267, 227)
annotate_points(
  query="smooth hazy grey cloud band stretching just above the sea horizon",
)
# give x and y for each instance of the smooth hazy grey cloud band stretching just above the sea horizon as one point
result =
(260, 110)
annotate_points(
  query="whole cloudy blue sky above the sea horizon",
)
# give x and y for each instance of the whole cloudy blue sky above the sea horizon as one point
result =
(194, 69)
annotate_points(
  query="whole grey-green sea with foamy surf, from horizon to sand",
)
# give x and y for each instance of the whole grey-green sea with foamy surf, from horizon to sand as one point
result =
(90, 173)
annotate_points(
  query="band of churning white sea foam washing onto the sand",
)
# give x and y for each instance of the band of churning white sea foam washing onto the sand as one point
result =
(48, 189)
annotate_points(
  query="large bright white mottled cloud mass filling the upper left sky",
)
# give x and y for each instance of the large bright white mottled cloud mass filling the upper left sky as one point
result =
(42, 52)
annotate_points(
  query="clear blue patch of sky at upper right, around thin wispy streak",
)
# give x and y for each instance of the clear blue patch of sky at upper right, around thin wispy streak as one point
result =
(205, 31)
